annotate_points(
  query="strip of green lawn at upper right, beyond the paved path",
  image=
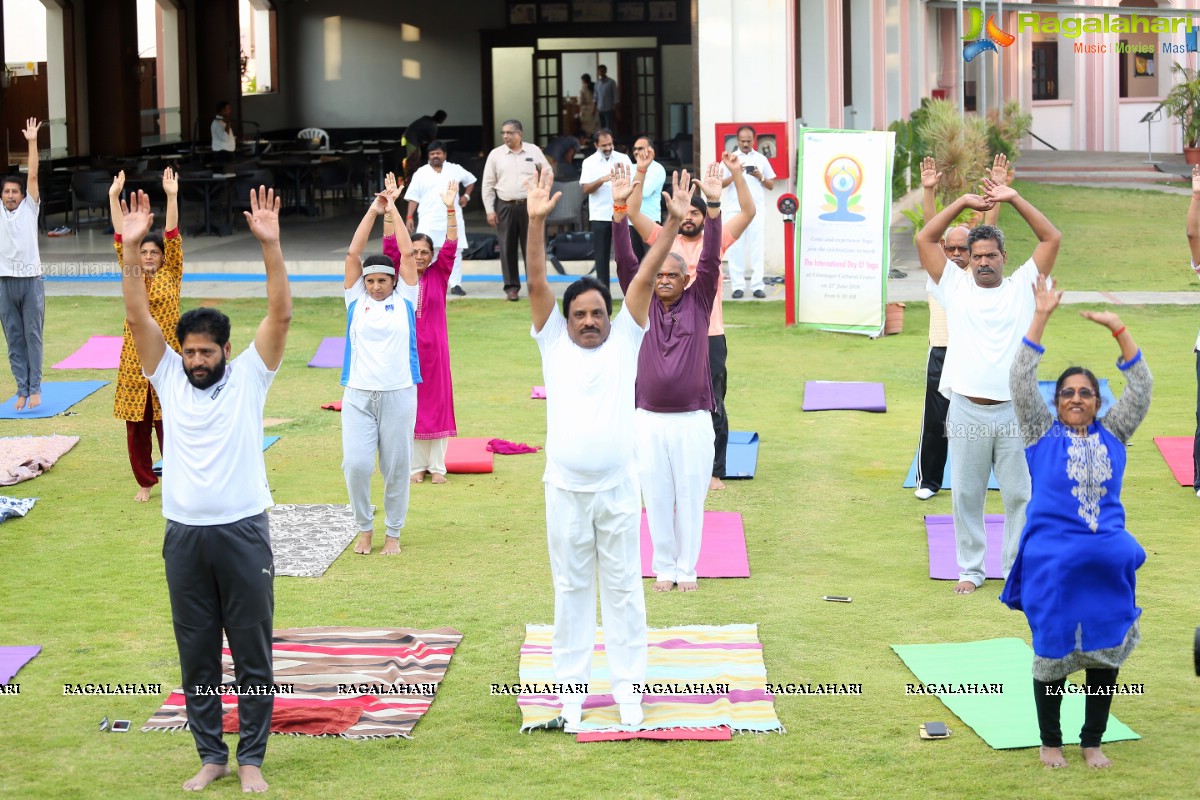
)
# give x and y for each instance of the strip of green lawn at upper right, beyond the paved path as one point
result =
(1115, 240)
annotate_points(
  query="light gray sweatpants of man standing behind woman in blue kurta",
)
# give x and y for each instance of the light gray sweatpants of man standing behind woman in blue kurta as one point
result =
(983, 440)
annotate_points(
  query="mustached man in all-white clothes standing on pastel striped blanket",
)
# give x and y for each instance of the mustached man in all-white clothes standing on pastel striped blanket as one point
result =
(593, 509)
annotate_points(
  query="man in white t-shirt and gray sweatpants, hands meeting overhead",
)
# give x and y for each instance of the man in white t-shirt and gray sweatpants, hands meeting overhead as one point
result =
(987, 315)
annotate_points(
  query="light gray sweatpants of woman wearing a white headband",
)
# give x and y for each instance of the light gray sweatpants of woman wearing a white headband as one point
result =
(379, 423)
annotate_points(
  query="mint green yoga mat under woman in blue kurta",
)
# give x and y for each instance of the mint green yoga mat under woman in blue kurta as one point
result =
(1004, 720)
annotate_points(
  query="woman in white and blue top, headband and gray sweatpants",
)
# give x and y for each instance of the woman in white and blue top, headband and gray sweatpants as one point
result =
(381, 372)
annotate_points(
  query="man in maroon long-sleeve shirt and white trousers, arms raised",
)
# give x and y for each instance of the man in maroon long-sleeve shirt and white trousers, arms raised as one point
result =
(674, 396)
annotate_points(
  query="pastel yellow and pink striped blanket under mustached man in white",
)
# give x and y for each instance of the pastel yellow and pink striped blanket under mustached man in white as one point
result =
(703, 676)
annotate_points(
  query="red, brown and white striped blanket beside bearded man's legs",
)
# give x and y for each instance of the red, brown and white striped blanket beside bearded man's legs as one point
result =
(392, 675)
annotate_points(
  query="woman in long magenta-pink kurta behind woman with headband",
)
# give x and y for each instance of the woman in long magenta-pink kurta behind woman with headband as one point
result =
(435, 394)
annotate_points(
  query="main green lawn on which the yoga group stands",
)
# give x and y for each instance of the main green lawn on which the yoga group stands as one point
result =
(83, 578)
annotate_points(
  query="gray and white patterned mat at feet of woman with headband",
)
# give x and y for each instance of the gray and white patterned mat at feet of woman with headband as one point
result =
(307, 539)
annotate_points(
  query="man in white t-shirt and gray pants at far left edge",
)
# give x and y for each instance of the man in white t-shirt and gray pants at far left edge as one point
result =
(22, 296)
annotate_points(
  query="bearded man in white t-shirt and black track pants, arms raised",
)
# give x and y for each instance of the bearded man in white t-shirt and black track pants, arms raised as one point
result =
(218, 546)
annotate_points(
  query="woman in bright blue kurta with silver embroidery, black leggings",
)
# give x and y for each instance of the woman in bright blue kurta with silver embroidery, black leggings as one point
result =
(1075, 576)
